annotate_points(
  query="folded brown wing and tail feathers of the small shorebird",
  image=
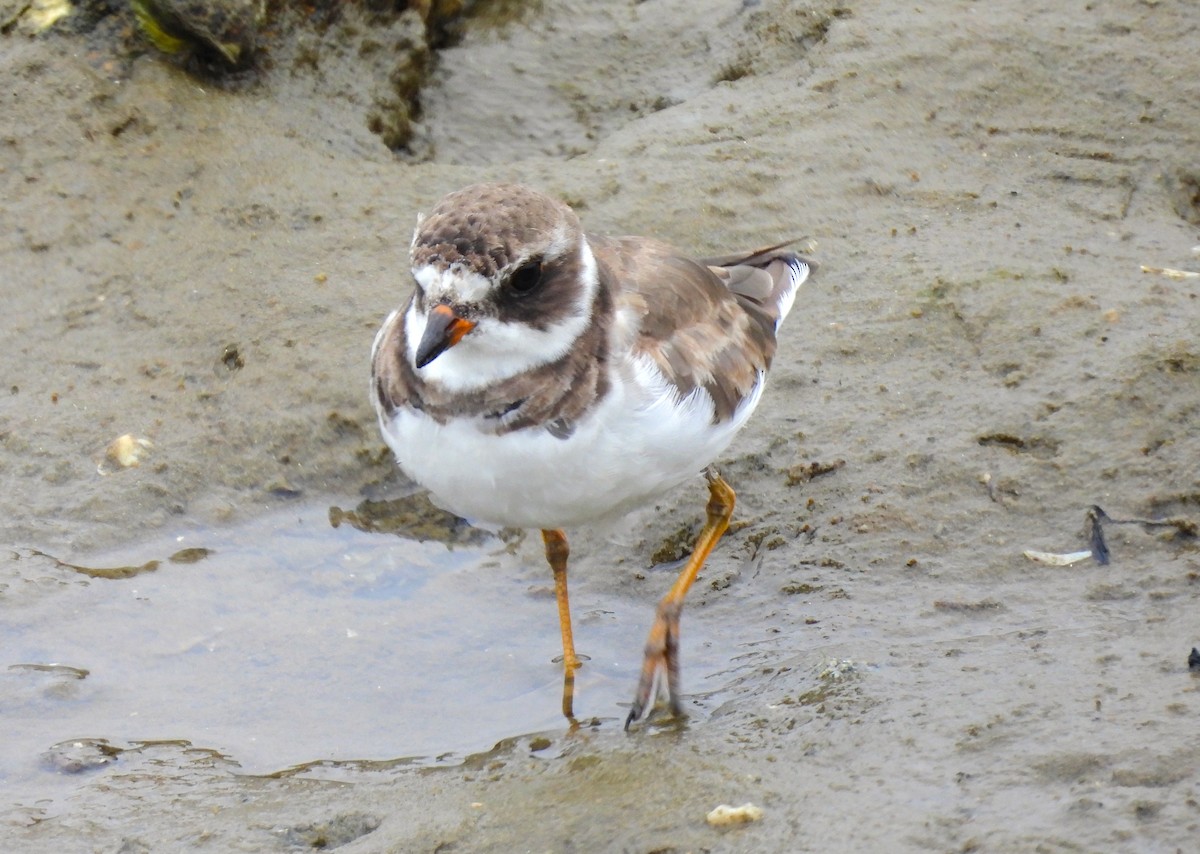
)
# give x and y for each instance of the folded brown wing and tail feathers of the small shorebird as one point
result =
(706, 324)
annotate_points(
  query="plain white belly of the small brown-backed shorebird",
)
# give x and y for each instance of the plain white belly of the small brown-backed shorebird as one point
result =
(639, 444)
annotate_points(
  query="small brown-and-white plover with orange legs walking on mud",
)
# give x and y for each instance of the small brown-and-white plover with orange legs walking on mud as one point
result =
(542, 377)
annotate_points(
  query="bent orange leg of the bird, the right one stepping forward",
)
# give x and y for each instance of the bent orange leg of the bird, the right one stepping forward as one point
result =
(663, 646)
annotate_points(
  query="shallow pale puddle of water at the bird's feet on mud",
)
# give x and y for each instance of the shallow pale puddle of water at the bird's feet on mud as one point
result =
(290, 641)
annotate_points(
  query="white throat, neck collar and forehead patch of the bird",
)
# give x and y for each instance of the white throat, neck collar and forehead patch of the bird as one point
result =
(497, 351)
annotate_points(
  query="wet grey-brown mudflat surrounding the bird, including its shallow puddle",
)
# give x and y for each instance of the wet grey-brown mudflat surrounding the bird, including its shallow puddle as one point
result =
(869, 658)
